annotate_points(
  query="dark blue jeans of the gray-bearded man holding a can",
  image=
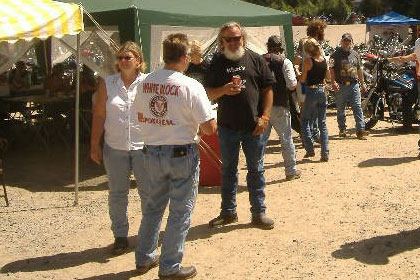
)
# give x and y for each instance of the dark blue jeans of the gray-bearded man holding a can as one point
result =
(253, 147)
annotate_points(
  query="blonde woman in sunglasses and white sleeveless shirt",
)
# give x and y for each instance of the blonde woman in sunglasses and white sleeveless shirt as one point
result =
(116, 119)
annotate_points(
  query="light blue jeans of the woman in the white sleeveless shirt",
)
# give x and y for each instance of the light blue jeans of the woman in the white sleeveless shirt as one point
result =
(118, 165)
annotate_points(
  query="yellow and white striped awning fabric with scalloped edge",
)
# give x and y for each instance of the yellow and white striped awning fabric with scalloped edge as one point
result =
(28, 19)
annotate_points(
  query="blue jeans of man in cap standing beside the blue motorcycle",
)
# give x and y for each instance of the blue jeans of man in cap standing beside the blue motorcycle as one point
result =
(349, 94)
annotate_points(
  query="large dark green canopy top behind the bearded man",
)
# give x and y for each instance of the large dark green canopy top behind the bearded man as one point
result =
(134, 18)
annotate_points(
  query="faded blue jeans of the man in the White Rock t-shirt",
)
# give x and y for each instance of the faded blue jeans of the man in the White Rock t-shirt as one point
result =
(171, 177)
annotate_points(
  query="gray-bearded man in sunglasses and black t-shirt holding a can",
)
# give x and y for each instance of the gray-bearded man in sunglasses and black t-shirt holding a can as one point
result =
(240, 81)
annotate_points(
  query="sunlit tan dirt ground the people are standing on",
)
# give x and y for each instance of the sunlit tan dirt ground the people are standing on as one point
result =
(355, 217)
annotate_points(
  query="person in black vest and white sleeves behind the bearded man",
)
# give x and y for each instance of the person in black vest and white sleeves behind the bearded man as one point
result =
(282, 69)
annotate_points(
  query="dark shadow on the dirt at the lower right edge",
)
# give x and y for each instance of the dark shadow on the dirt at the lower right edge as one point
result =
(377, 250)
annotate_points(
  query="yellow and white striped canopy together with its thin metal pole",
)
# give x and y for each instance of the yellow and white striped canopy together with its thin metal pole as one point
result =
(21, 21)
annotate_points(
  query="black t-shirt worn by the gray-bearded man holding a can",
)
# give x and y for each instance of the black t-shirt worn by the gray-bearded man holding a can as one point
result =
(240, 112)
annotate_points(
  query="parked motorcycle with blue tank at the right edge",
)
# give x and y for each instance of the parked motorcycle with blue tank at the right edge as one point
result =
(394, 90)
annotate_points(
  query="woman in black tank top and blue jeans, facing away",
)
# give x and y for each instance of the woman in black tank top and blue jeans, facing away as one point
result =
(315, 70)
